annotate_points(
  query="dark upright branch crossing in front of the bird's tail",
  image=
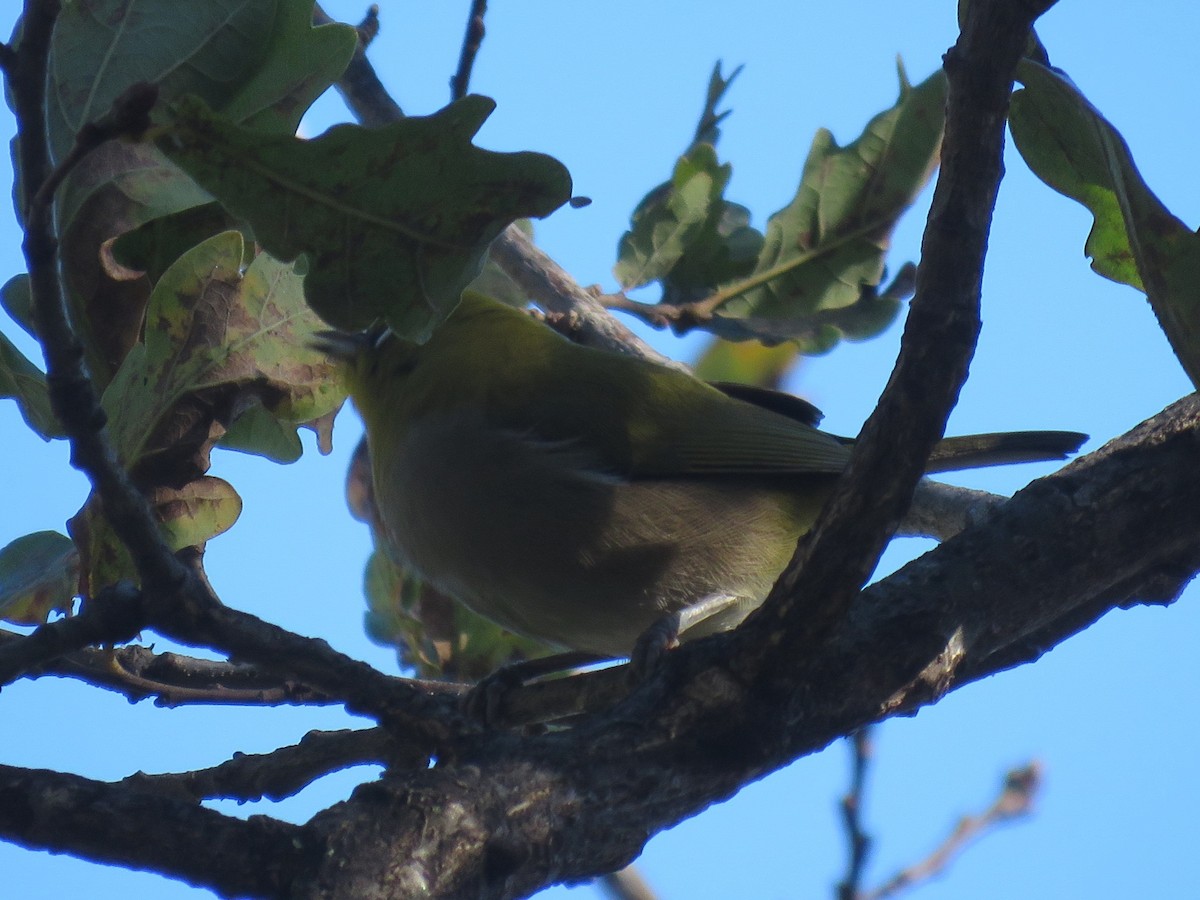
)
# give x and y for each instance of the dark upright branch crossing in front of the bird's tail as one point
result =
(837, 557)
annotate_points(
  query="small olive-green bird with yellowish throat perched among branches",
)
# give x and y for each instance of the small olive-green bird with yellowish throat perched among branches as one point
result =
(578, 496)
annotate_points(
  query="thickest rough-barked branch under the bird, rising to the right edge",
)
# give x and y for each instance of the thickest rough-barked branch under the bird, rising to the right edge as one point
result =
(574, 805)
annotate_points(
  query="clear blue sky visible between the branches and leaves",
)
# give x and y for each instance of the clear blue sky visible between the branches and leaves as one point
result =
(614, 92)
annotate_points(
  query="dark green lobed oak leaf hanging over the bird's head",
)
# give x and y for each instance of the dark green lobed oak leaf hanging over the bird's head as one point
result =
(395, 221)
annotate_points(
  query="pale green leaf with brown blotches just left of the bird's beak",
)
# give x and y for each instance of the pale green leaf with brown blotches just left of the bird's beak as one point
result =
(218, 343)
